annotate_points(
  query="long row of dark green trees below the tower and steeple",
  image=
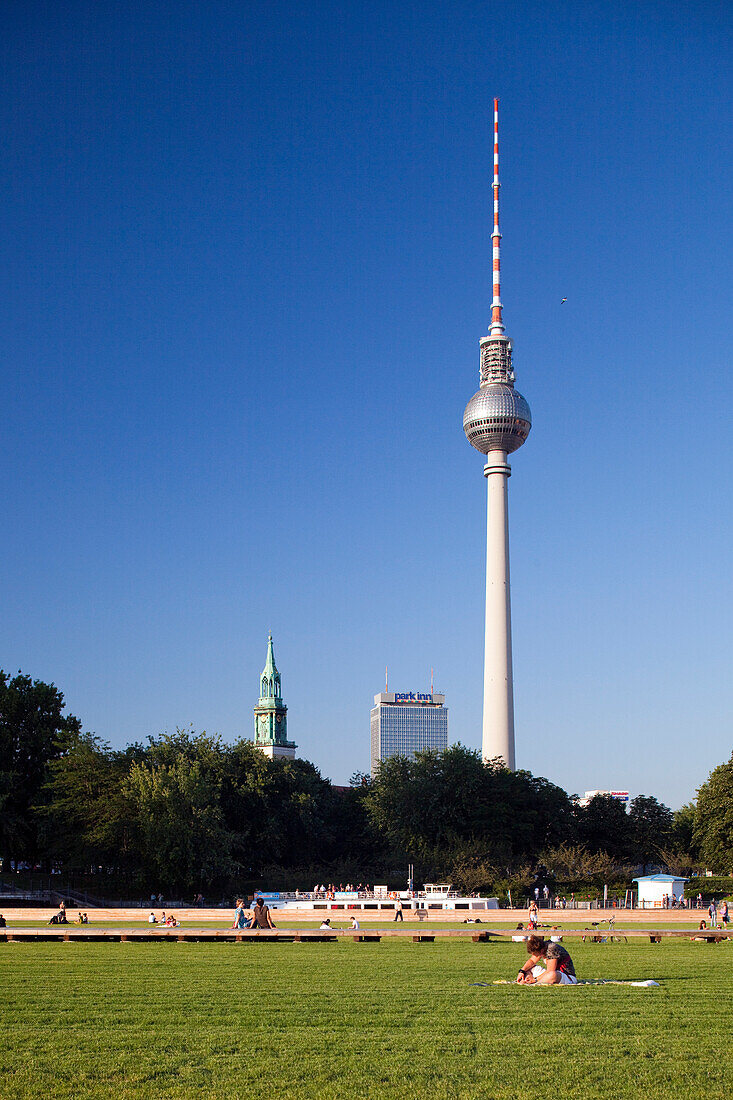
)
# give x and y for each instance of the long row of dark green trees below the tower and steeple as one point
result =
(189, 812)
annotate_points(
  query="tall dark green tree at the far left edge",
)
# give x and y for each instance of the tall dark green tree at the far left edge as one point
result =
(34, 733)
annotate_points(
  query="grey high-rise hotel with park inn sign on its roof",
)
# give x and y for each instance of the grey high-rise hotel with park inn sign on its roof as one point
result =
(406, 724)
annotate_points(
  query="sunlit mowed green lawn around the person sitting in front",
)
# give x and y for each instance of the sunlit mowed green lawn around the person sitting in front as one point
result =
(349, 1020)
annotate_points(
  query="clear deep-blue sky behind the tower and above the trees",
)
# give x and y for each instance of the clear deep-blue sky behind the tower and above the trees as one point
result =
(245, 267)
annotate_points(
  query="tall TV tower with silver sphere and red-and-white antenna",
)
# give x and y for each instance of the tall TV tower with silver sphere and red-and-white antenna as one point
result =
(497, 422)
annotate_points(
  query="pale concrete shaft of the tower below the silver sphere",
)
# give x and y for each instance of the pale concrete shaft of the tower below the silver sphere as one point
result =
(498, 734)
